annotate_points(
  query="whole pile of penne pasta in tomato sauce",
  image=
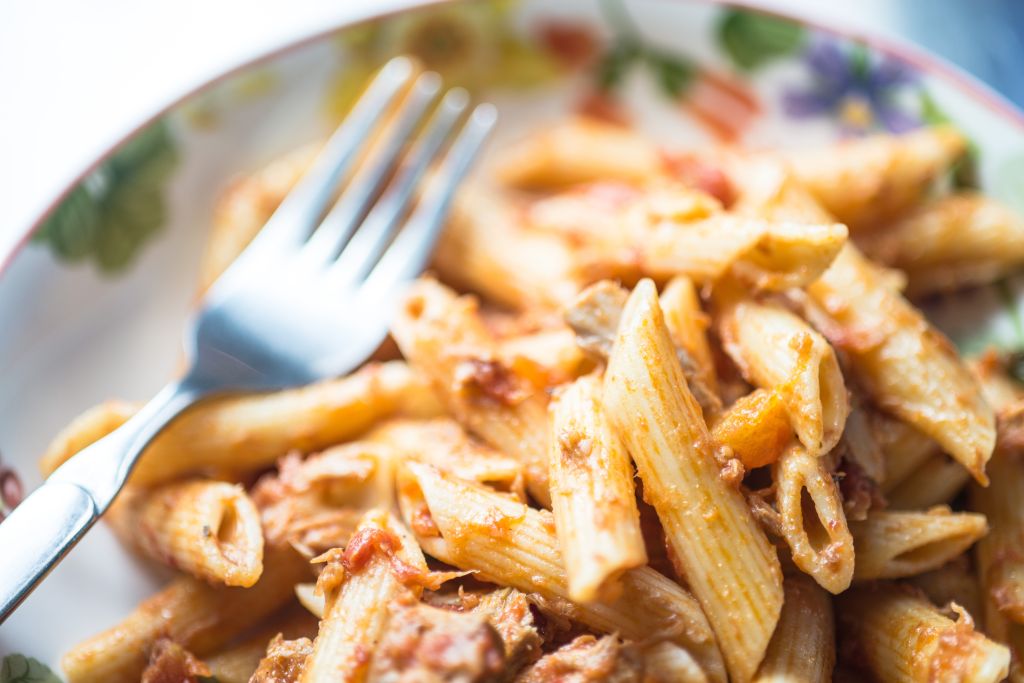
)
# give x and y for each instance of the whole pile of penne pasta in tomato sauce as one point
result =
(657, 416)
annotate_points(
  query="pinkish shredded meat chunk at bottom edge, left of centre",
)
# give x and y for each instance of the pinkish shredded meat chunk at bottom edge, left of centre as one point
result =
(425, 645)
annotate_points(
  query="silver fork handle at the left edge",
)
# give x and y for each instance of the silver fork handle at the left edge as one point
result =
(46, 526)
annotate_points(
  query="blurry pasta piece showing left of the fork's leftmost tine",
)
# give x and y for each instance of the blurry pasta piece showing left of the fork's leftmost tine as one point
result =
(245, 207)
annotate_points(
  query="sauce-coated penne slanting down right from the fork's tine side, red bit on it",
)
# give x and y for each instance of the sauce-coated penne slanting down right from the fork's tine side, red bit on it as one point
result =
(443, 335)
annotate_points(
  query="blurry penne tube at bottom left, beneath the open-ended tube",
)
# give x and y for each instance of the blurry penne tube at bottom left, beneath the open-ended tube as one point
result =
(195, 615)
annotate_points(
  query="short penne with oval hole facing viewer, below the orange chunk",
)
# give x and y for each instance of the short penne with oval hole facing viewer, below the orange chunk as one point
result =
(814, 522)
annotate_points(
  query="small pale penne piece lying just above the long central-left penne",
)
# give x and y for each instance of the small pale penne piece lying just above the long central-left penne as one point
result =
(443, 443)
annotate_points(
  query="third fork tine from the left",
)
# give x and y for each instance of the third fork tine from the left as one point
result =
(368, 244)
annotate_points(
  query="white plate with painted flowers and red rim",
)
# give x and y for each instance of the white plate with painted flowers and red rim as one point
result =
(93, 308)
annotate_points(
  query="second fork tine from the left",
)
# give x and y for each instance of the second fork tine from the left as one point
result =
(327, 240)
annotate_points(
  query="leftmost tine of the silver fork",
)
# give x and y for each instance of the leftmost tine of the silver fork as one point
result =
(290, 225)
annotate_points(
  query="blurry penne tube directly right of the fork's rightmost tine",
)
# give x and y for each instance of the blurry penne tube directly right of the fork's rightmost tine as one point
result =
(486, 249)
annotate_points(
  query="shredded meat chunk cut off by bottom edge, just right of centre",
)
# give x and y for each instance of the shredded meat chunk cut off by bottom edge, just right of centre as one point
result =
(588, 660)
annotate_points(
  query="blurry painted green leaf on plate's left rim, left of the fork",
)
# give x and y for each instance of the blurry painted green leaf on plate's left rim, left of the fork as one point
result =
(114, 212)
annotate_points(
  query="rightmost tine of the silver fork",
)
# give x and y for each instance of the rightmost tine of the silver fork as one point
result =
(408, 255)
